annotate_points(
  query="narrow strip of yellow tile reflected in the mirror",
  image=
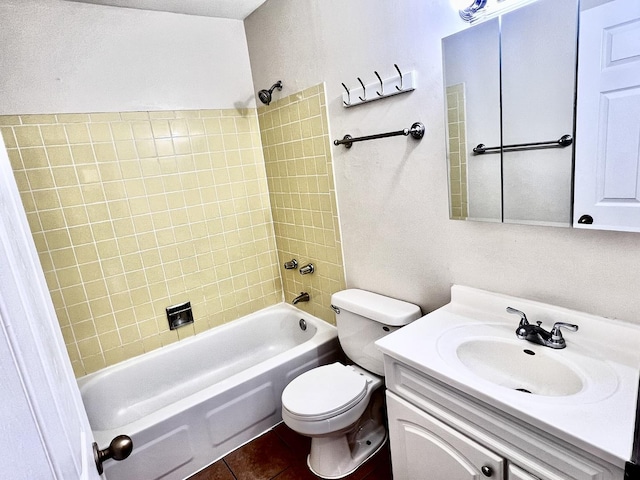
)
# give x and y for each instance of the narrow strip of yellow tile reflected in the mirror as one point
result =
(457, 152)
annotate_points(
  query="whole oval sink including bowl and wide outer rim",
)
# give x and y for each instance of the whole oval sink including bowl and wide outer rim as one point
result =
(490, 356)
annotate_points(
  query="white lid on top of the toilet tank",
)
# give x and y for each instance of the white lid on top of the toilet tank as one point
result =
(387, 310)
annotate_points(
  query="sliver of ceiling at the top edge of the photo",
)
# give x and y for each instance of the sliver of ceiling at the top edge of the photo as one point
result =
(236, 9)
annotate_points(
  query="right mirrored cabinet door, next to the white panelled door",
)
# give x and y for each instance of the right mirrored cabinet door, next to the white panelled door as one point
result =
(539, 43)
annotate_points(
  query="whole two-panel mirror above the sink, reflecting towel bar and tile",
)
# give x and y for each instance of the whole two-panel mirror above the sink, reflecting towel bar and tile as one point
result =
(510, 95)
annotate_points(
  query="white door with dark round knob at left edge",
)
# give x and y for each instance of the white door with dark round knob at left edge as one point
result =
(44, 431)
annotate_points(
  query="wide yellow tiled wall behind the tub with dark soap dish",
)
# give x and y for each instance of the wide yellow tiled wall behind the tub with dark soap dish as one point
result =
(133, 212)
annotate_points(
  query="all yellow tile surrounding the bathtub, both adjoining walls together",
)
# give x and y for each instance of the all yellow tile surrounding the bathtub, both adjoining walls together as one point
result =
(129, 228)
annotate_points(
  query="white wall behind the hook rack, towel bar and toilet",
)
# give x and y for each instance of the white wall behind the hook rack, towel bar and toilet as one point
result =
(392, 193)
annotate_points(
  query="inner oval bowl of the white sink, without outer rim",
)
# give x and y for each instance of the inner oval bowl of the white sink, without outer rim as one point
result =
(512, 364)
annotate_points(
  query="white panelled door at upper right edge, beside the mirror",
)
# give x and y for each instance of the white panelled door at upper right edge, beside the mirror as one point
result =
(607, 164)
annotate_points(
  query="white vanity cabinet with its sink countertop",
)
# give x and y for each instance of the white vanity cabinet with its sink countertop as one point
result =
(465, 392)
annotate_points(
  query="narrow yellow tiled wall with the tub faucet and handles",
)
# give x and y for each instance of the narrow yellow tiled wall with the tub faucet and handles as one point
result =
(295, 137)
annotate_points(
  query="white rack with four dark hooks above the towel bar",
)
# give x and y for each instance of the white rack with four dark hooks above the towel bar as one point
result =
(381, 88)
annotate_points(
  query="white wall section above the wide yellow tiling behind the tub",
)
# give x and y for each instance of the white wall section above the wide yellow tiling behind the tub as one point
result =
(67, 57)
